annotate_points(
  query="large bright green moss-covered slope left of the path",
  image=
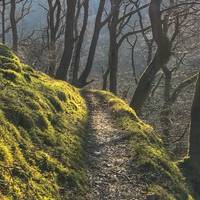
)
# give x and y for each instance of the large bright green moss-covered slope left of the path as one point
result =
(41, 131)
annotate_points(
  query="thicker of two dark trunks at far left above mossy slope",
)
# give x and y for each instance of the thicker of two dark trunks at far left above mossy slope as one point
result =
(13, 25)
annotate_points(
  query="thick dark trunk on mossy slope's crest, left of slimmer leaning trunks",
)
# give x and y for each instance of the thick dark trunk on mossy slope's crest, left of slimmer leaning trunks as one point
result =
(69, 41)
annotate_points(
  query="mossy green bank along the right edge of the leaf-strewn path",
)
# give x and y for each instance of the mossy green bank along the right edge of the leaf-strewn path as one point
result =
(161, 175)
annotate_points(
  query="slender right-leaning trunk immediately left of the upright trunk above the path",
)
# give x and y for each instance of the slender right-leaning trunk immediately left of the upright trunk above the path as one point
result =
(98, 25)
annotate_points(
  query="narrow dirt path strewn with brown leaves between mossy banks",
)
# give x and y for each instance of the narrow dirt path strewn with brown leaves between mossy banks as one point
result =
(109, 171)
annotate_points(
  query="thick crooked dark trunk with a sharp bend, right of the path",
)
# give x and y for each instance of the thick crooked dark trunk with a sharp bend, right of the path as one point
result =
(160, 59)
